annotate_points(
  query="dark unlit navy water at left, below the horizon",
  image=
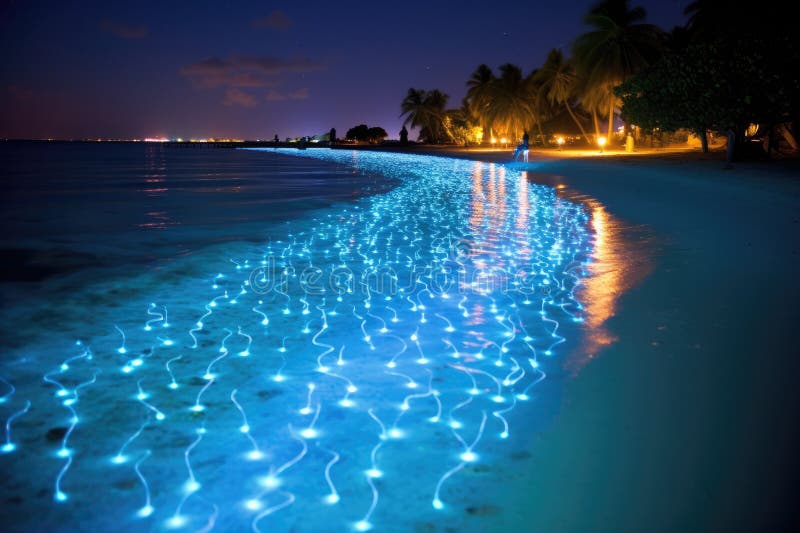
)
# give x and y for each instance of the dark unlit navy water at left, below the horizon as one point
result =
(70, 205)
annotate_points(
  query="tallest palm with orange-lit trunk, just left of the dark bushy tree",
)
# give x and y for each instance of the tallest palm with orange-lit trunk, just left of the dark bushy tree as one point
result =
(617, 47)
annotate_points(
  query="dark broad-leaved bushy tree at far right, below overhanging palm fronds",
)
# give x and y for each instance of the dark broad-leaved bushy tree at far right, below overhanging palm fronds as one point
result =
(720, 85)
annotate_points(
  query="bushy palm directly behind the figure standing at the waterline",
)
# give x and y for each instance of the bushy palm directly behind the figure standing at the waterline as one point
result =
(510, 109)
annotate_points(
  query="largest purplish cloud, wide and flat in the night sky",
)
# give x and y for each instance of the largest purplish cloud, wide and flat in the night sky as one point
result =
(246, 71)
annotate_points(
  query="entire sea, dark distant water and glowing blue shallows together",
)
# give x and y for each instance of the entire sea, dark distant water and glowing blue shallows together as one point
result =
(314, 340)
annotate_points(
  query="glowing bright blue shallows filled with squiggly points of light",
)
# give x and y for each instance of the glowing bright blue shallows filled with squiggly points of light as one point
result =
(379, 351)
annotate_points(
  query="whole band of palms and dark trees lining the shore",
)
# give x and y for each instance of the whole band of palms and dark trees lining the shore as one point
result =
(730, 67)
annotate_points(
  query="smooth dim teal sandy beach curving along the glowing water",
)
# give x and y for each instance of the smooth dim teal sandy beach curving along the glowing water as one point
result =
(699, 394)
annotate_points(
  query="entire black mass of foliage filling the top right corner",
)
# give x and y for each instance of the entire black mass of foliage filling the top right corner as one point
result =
(729, 68)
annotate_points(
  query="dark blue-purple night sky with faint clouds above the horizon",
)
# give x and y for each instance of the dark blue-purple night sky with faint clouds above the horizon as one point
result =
(251, 70)
